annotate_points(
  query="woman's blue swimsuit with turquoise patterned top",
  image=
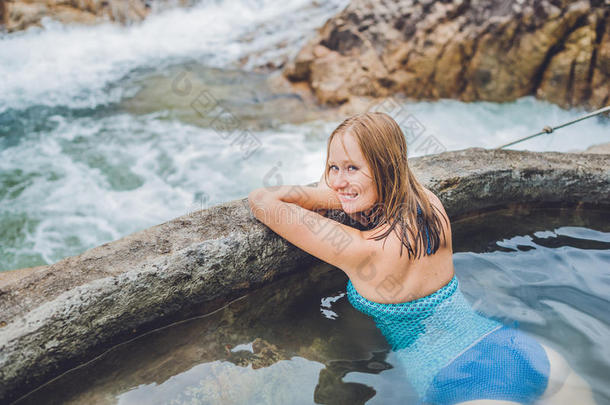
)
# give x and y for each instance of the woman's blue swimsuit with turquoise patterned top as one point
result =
(451, 353)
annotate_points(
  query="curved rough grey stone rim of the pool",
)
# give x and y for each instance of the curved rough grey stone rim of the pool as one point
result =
(55, 316)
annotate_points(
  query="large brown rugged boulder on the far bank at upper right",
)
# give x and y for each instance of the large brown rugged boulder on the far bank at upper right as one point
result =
(498, 51)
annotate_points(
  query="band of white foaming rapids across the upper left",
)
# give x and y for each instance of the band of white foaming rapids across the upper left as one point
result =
(76, 65)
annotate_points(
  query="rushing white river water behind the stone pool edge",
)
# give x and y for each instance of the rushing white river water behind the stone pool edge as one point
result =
(97, 143)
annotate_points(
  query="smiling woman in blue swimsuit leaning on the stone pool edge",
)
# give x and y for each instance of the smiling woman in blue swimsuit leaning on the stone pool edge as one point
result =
(451, 353)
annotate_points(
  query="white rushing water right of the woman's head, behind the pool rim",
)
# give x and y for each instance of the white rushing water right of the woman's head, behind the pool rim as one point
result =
(458, 125)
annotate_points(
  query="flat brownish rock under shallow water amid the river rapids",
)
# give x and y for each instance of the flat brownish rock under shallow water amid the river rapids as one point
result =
(256, 101)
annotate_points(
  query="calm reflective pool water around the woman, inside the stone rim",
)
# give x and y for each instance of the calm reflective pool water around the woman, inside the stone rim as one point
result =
(299, 340)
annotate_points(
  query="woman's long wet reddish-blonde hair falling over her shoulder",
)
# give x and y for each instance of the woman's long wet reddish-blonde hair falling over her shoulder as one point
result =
(383, 145)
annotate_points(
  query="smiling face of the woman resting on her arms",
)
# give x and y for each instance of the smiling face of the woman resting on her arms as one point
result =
(349, 174)
